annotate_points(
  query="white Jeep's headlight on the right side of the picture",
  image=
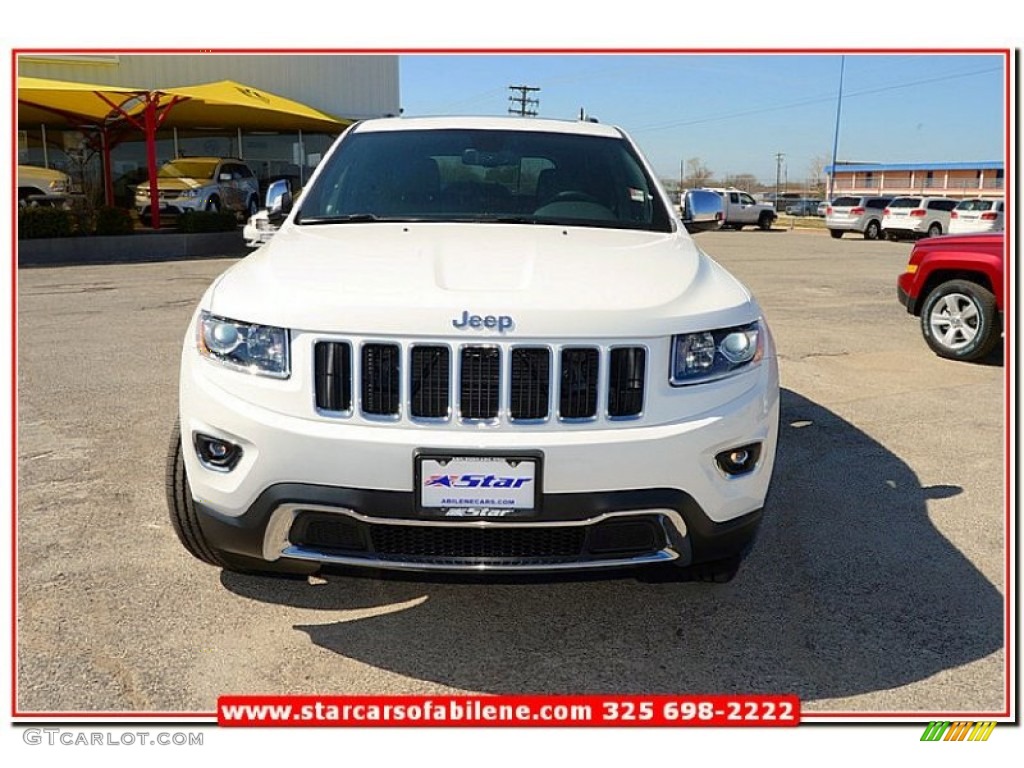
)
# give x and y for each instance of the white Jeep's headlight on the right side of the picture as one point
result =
(712, 355)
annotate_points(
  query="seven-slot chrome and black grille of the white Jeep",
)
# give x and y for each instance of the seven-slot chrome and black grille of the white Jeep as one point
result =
(480, 382)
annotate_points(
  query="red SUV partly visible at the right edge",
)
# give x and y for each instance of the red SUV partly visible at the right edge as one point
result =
(955, 284)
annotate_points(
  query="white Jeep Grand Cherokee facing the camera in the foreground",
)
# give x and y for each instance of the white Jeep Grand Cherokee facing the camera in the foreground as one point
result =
(477, 345)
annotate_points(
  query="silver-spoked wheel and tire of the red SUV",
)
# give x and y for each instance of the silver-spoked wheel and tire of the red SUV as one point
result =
(960, 321)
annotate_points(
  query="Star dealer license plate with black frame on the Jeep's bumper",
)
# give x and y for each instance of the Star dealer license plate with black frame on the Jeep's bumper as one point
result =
(478, 486)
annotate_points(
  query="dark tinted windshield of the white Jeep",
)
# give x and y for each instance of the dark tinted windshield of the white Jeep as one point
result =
(486, 176)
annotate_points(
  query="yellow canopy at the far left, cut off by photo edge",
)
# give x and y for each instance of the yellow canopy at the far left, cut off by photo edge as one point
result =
(60, 103)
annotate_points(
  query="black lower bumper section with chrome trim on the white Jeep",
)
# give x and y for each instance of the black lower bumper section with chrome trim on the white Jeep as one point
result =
(580, 532)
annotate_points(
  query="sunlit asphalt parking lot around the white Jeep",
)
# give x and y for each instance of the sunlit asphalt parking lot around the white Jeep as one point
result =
(877, 585)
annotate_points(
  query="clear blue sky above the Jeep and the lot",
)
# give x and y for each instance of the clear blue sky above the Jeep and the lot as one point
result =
(737, 112)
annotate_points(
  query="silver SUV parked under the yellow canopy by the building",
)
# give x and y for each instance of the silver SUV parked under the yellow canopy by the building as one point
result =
(189, 185)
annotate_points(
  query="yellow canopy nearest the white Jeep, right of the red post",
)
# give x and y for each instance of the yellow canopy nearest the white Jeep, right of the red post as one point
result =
(231, 105)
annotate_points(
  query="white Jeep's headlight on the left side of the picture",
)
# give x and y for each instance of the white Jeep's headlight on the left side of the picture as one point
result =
(259, 350)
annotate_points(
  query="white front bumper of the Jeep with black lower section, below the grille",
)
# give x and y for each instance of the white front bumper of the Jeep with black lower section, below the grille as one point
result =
(313, 490)
